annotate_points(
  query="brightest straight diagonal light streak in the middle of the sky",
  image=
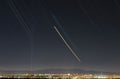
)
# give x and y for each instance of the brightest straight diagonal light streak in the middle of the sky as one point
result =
(78, 59)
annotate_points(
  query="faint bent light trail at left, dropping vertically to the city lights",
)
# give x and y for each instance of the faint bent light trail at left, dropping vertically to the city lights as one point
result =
(26, 26)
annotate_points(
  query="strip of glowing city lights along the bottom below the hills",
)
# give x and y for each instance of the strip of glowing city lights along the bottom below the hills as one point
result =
(61, 76)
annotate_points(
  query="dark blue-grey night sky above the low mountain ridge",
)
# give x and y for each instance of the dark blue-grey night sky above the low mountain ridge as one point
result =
(91, 27)
